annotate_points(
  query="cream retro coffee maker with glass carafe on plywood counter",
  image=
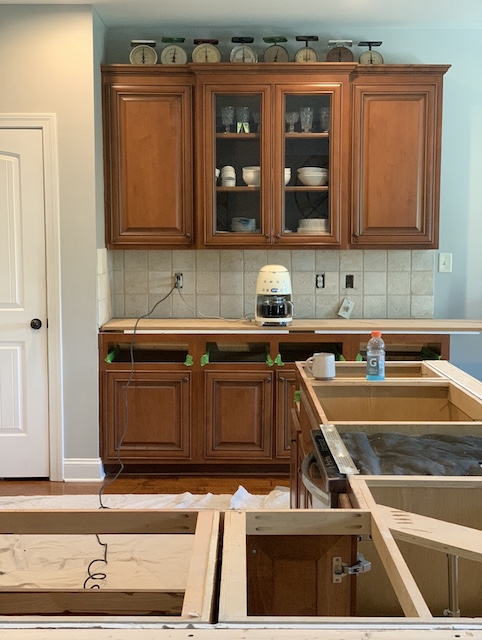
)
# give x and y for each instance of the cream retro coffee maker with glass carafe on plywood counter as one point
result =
(273, 296)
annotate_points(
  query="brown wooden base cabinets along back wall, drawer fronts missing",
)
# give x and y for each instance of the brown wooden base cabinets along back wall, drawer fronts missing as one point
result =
(222, 403)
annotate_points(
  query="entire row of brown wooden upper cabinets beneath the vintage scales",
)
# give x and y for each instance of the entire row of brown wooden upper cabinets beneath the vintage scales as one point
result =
(380, 146)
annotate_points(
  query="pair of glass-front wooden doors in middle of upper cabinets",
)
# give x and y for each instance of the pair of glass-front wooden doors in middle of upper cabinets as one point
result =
(272, 163)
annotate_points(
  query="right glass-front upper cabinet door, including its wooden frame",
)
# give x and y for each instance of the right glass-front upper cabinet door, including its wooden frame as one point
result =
(308, 145)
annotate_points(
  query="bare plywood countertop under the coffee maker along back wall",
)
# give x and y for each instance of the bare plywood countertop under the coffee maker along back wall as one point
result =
(336, 326)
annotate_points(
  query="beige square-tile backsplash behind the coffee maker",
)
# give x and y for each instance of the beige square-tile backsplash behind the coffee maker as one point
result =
(222, 283)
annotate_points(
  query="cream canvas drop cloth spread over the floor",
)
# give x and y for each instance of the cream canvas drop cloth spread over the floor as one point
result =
(136, 561)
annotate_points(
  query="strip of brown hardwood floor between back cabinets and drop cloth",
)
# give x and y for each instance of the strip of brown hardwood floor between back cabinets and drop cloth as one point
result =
(144, 484)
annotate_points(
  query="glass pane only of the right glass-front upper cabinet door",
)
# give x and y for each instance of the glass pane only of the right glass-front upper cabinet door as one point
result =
(307, 164)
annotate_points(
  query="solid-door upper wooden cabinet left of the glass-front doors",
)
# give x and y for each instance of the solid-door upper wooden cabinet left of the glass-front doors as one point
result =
(148, 159)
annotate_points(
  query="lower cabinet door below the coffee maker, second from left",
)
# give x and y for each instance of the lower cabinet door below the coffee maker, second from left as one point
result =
(238, 415)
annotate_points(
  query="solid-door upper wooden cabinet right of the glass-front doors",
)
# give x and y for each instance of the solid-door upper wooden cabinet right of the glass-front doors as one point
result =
(396, 141)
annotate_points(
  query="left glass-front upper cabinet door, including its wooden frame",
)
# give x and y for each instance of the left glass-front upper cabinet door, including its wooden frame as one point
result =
(238, 204)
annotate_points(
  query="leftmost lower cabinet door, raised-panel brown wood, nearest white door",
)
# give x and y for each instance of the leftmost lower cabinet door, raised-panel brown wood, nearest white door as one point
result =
(150, 418)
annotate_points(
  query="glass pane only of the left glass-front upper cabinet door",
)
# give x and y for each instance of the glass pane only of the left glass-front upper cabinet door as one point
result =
(238, 163)
